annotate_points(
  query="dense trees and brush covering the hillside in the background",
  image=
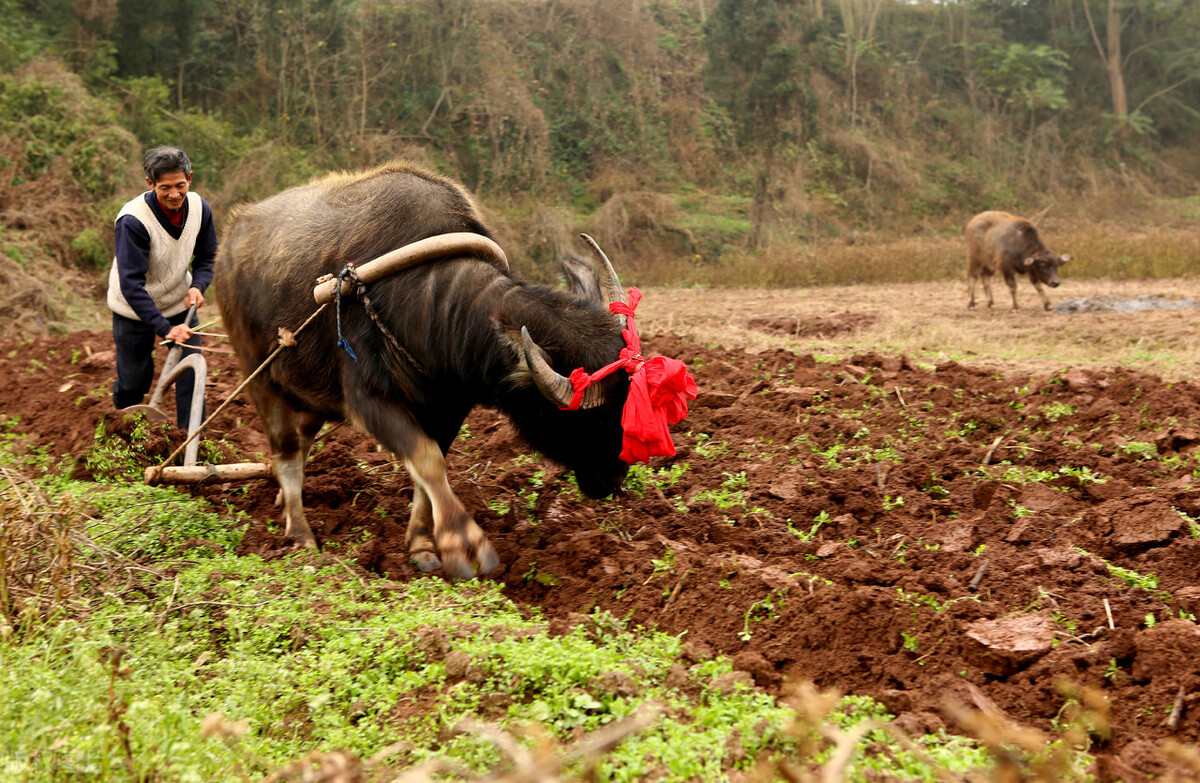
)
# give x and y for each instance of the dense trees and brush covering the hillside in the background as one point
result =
(757, 122)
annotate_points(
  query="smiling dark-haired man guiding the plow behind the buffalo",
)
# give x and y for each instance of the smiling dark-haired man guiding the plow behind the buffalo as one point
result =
(158, 237)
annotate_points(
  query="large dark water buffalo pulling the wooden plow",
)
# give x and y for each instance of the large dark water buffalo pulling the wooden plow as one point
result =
(436, 340)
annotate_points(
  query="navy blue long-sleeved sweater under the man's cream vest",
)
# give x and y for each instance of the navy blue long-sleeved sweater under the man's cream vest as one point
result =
(133, 243)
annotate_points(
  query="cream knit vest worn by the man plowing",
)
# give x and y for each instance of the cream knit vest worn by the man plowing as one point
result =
(170, 274)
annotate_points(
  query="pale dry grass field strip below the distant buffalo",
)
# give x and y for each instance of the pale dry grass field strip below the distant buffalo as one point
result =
(932, 325)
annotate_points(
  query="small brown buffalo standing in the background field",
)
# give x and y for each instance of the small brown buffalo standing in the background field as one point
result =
(1011, 246)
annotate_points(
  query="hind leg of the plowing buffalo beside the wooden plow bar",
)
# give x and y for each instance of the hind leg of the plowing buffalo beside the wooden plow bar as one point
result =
(290, 434)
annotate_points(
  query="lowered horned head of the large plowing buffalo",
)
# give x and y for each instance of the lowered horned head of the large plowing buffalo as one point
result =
(587, 440)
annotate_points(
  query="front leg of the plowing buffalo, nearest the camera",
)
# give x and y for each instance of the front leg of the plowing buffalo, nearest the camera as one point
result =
(461, 543)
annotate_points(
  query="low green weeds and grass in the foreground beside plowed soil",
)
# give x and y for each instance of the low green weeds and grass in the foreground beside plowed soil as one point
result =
(136, 644)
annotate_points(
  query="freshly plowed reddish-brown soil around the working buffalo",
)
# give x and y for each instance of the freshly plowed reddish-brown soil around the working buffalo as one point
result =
(885, 528)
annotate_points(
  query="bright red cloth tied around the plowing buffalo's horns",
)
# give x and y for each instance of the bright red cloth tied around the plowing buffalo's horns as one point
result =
(659, 391)
